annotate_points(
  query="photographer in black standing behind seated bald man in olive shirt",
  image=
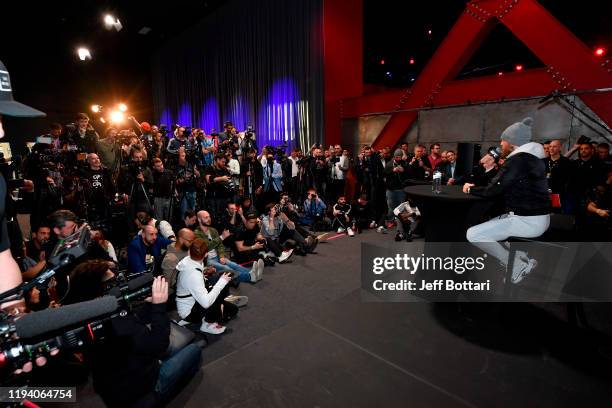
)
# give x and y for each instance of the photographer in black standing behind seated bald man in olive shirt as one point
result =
(221, 188)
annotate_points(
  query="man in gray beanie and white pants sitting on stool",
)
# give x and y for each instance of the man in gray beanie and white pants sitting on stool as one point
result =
(522, 184)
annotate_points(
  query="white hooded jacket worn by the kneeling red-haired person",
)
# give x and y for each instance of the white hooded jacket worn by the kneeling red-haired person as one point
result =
(190, 287)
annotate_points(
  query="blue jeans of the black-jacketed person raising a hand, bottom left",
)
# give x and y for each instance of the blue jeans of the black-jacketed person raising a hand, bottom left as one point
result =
(179, 367)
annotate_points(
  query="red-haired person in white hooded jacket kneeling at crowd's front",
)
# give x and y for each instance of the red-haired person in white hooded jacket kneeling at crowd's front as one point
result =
(196, 299)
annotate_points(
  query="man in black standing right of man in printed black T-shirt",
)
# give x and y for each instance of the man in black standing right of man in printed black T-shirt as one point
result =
(136, 182)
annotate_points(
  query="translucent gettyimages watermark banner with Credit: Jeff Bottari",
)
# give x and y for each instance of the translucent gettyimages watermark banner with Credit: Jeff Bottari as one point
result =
(459, 271)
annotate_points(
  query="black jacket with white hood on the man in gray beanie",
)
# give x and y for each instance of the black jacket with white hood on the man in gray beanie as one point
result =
(521, 181)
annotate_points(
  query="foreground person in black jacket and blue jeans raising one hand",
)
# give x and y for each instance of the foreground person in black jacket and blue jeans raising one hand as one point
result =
(129, 368)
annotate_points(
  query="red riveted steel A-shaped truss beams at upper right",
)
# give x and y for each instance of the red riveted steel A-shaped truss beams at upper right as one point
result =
(570, 66)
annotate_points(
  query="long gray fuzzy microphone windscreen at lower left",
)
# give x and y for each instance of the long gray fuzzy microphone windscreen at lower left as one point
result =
(49, 320)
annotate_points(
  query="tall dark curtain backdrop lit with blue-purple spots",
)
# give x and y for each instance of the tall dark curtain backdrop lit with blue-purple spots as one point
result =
(250, 62)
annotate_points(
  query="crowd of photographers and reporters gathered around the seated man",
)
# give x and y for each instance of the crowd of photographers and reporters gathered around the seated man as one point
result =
(209, 212)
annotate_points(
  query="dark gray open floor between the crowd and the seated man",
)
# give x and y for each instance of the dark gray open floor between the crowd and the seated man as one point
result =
(307, 339)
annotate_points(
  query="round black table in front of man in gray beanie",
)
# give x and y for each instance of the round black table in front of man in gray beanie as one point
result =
(447, 215)
